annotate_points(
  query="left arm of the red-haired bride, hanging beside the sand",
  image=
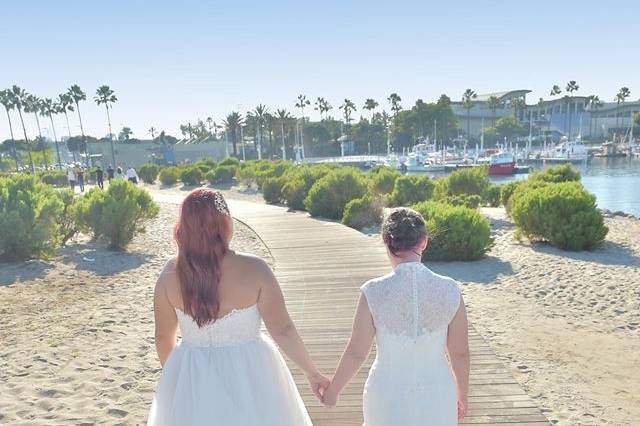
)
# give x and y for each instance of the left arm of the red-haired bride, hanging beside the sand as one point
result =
(165, 318)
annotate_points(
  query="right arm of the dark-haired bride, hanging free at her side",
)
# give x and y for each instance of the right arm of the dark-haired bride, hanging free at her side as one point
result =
(458, 349)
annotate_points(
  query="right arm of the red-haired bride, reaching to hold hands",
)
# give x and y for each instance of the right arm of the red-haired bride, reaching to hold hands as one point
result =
(283, 330)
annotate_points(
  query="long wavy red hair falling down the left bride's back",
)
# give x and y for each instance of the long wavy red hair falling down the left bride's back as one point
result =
(202, 236)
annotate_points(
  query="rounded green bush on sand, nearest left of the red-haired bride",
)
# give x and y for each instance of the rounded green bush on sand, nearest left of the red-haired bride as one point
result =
(117, 214)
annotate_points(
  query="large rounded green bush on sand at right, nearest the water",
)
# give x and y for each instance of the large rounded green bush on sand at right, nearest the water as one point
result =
(564, 214)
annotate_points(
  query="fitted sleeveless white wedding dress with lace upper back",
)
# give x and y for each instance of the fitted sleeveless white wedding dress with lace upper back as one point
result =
(411, 381)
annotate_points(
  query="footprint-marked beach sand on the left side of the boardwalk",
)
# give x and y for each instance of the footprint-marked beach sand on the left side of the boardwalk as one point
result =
(76, 332)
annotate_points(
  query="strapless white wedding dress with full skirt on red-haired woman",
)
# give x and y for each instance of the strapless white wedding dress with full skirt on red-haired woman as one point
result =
(227, 373)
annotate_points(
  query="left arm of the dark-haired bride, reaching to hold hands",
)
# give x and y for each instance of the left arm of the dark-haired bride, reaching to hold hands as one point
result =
(355, 353)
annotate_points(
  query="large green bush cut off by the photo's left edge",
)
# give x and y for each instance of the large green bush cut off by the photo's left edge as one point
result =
(29, 214)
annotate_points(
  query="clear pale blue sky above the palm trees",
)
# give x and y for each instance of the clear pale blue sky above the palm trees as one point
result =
(175, 61)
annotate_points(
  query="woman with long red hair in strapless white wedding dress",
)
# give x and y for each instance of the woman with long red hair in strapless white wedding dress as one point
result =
(224, 371)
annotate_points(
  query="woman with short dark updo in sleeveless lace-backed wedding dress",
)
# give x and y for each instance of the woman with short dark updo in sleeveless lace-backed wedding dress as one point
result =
(419, 322)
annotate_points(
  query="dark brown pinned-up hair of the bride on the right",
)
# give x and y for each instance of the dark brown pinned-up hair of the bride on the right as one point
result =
(402, 229)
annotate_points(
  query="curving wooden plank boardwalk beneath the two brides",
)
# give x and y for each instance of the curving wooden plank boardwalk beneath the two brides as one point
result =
(321, 266)
